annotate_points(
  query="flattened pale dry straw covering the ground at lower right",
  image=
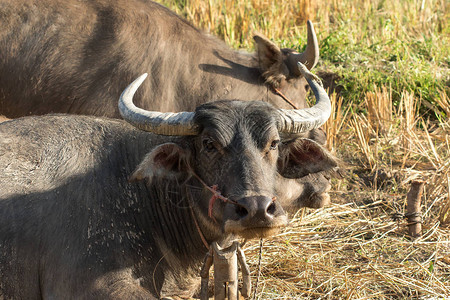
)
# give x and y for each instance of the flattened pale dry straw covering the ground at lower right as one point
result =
(353, 251)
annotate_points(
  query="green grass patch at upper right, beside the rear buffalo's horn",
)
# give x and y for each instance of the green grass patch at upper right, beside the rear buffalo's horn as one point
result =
(386, 48)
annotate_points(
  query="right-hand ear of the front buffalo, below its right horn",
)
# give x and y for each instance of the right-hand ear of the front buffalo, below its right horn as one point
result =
(302, 157)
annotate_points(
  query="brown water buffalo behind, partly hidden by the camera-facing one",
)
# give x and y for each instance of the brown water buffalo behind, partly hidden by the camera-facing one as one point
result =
(72, 56)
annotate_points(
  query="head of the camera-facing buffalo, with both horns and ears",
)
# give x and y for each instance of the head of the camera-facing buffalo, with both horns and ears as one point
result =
(235, 156)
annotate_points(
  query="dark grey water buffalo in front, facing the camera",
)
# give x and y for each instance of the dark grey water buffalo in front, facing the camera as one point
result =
(94, 208)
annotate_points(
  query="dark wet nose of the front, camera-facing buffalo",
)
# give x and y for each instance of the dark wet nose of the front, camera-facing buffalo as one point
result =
(257, 210)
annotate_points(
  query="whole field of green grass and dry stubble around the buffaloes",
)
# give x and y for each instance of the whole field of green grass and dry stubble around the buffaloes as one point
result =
(390, 61)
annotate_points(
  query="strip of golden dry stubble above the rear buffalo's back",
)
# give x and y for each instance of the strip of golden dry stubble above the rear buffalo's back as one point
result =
(236, 22)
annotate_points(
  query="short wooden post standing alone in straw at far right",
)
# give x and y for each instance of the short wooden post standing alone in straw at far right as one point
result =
(414, 198)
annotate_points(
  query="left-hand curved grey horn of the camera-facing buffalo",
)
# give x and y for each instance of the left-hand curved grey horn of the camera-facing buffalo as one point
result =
(157, 122)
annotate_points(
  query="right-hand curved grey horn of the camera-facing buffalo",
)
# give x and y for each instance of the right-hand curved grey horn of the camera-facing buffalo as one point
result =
(302, 120)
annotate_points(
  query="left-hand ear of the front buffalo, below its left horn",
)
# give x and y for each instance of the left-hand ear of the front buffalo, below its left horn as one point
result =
(165, 161)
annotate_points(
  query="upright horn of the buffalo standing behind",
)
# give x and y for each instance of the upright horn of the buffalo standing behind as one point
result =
(311, 55)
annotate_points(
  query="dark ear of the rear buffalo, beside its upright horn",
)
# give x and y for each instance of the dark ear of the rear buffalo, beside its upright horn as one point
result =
(270, 60)
